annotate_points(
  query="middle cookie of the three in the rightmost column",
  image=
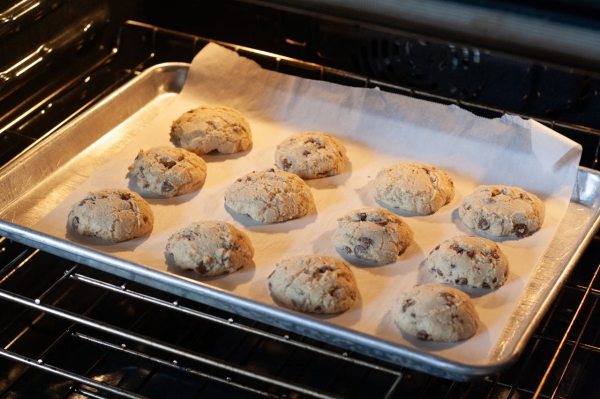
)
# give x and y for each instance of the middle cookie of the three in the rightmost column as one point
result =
(469, 261)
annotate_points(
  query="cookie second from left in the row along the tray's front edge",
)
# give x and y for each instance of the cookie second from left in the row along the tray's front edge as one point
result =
(210, 248)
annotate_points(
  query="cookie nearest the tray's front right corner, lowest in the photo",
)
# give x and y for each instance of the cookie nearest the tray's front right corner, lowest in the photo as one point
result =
(435, 312)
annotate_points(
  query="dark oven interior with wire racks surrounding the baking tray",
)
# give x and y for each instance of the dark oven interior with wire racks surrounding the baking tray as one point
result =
(67, 330)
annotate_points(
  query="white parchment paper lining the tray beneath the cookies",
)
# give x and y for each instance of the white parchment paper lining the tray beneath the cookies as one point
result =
(377, 129)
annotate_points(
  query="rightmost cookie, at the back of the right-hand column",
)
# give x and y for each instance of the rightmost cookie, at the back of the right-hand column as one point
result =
(502, 211)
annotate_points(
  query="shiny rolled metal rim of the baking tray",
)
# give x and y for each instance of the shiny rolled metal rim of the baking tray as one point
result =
(283, 318)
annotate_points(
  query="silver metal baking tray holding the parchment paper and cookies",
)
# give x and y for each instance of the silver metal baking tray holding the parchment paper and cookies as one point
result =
(37, 181)
